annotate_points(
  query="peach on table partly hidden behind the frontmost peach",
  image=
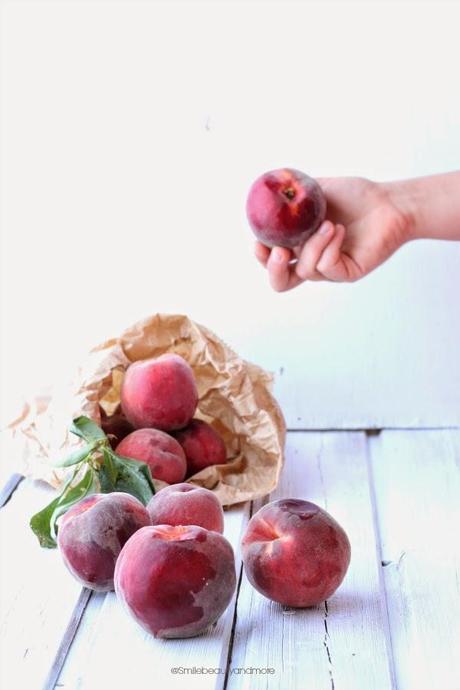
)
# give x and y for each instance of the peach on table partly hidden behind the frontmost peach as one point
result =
(185, 504)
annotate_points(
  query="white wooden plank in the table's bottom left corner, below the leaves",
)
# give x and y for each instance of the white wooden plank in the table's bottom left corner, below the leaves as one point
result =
(37, 594)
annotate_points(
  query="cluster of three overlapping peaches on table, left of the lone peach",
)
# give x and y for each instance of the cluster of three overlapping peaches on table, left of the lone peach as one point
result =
(170, 565)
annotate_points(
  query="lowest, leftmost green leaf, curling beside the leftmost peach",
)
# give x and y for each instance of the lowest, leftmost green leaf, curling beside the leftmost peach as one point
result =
(43, 523)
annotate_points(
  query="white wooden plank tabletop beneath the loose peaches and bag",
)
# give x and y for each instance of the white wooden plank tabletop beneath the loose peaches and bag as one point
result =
(394, 622)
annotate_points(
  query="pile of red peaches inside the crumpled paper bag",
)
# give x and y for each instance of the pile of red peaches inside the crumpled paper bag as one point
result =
(158, 400)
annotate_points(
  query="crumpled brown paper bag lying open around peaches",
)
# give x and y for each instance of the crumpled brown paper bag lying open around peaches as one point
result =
(234, 396)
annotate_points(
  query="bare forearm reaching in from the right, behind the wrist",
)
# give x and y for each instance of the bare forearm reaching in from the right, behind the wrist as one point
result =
(430, 205)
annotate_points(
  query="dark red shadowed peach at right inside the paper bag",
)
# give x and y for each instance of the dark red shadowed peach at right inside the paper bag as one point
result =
(202, 446)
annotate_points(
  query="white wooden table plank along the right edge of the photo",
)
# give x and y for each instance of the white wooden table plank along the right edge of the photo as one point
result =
(417, 484)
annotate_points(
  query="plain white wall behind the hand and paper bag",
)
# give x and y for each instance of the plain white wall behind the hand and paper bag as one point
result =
(130, 133)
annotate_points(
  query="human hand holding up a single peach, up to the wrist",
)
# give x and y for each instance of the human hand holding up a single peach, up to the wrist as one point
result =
(363, 228)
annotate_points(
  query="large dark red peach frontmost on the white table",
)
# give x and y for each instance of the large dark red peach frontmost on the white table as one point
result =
(175, 580)
